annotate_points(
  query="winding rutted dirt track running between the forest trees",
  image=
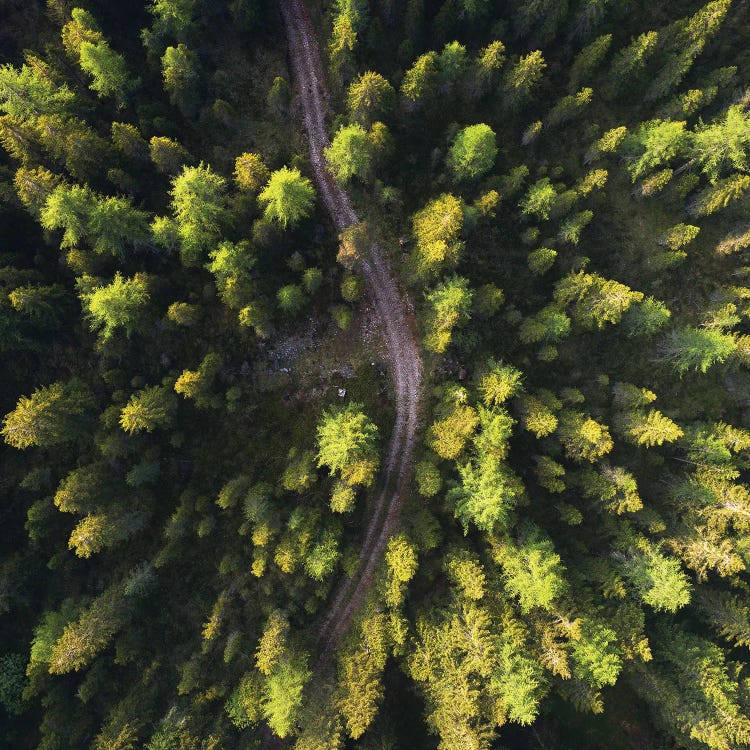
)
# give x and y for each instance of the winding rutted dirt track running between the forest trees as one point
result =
(398, 329)
